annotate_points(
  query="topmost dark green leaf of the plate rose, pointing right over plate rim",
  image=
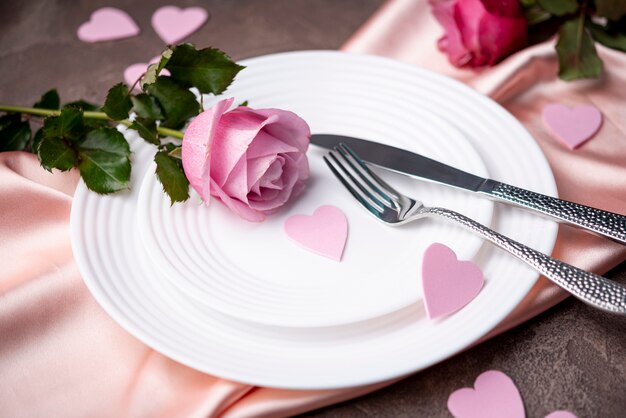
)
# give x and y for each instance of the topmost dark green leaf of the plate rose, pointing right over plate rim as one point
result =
(209, 70)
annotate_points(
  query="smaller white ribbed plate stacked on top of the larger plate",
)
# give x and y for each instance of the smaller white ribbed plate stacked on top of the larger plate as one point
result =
(253, 271)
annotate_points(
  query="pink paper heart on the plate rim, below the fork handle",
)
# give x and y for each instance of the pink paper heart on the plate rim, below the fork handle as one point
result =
(448, 284)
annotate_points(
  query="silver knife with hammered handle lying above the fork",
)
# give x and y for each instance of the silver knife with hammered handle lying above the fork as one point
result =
(608, 224)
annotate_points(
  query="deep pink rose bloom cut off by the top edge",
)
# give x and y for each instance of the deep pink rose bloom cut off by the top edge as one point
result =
(480, 32)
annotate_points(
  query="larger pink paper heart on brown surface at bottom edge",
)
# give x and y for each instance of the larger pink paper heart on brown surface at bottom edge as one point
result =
(494, 396)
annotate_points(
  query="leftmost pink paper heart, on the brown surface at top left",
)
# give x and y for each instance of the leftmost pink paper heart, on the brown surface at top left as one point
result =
(107, 24)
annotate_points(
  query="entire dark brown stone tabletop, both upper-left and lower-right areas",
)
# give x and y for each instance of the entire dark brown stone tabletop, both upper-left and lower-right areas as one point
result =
(571, 357)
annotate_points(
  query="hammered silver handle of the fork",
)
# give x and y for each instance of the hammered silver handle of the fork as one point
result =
(588, 287)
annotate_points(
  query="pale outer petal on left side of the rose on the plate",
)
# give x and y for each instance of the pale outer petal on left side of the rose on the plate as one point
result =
(196, 147)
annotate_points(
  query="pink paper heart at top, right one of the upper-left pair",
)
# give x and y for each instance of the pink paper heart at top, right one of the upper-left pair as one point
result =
(173, 24)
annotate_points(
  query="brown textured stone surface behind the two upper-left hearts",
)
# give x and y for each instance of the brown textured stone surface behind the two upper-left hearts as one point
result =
(39, 48)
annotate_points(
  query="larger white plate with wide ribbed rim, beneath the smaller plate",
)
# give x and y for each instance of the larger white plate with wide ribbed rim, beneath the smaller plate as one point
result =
(128, 285)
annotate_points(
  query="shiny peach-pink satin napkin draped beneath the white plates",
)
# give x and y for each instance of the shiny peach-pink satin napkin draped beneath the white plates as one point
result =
(61, 355)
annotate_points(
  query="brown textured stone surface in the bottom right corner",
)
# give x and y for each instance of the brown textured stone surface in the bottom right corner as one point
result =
(571, 357)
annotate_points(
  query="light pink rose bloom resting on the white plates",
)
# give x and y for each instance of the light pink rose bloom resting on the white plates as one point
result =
(251, 160)
